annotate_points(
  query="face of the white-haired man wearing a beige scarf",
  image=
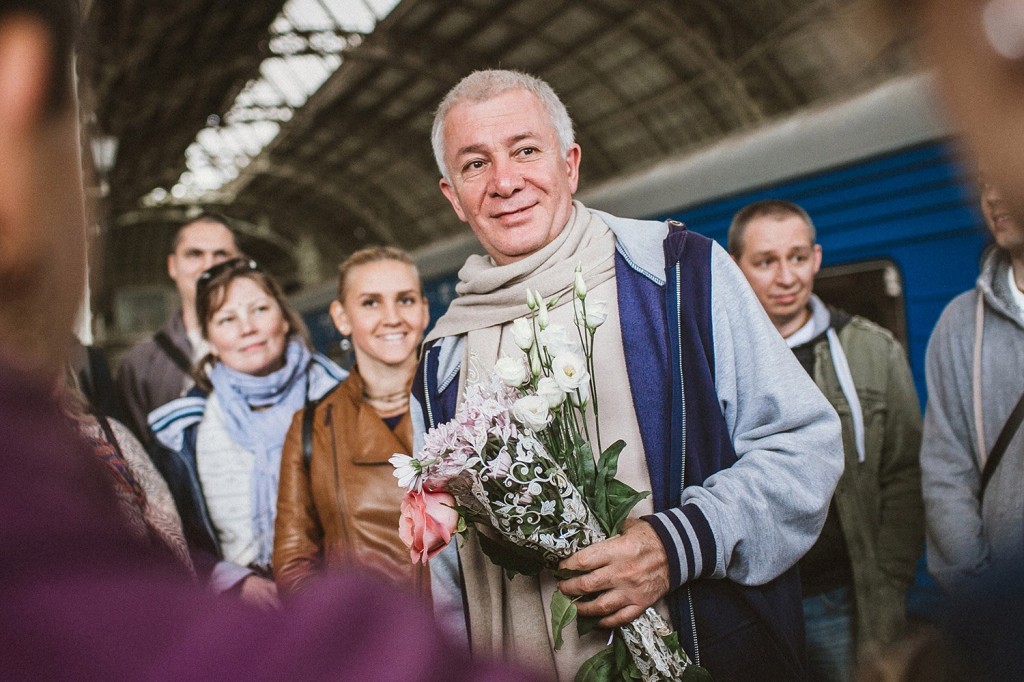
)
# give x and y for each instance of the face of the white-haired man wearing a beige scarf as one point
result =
(509, 180)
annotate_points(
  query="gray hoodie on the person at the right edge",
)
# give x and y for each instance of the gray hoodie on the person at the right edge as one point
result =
(966, 538)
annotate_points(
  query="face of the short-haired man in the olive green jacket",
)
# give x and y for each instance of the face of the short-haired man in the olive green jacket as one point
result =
(781, 263)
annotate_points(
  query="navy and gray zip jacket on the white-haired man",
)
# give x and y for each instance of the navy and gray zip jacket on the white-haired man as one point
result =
(743, 451)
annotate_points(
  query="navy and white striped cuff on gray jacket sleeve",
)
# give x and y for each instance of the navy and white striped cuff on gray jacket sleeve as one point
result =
(689, 542)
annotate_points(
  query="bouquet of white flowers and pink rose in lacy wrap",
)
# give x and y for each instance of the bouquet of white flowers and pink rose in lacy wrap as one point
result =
(517, 462)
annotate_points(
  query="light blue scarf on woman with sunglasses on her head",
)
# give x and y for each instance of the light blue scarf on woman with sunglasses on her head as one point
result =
(259, 412)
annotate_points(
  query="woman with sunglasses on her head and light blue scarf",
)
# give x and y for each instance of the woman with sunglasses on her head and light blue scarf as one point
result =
(225, 439)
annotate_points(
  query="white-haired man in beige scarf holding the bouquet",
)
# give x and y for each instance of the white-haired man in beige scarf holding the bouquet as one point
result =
(695, 381)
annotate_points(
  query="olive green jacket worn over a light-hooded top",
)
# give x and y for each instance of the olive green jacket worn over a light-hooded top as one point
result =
(879, 499)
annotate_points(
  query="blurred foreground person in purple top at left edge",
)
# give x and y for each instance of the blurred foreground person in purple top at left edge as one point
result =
(82, 600)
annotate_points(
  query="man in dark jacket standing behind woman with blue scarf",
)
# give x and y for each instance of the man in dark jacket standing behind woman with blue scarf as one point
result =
(157, 371)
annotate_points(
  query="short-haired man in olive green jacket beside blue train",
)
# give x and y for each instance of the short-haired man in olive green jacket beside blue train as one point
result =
(860, 570)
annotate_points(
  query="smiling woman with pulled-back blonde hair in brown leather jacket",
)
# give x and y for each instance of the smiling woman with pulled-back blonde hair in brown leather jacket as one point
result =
(340, 507)
